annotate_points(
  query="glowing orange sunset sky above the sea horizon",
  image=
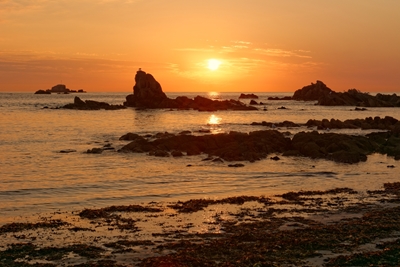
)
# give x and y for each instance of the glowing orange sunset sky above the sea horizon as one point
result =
(255, 45)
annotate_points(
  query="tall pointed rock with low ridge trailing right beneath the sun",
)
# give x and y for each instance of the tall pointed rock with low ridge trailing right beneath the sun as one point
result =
(147, 93)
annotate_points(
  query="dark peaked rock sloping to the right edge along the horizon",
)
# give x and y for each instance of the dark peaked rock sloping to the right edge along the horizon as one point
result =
(326, 97)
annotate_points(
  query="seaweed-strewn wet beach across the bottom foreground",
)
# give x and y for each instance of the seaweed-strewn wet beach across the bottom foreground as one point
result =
(235, 231)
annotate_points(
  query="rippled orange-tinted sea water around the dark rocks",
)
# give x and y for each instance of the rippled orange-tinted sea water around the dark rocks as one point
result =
(36, 178)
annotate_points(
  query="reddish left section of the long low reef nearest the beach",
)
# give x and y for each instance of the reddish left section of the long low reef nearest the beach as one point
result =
(233, 146)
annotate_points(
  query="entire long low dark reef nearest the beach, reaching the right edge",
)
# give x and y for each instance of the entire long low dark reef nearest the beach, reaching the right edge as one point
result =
(258, 145)
